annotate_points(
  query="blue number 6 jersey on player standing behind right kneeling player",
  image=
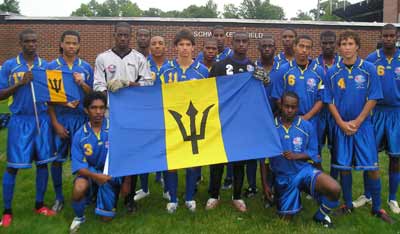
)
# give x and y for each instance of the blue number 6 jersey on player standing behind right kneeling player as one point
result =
(307, 84)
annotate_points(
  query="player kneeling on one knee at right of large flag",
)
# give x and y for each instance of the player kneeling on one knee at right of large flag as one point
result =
(293, 173)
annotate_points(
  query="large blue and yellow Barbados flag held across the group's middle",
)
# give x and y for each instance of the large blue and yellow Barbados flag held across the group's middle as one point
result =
(189, 124)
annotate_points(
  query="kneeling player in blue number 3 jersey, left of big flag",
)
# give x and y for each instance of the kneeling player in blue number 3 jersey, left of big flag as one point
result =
(89, 151)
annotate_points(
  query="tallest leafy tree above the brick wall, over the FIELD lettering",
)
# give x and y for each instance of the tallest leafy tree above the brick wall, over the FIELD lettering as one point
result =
(258, 9)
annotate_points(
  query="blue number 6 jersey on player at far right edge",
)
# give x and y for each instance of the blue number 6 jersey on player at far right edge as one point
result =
(389, 73)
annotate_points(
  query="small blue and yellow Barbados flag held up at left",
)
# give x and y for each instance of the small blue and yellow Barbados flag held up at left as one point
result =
(54, 86)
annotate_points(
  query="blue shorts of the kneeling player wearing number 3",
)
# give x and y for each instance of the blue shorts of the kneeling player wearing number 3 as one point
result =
(107, 195)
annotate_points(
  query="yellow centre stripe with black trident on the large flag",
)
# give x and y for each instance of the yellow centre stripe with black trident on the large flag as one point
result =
(192, 123)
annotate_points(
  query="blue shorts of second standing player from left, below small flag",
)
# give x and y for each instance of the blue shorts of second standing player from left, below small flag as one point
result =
(72, 123)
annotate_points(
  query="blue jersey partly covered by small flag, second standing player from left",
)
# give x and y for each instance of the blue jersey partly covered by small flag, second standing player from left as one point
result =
(79, 66)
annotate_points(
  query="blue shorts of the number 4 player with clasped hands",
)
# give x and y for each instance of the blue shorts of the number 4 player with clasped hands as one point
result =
(357, 151)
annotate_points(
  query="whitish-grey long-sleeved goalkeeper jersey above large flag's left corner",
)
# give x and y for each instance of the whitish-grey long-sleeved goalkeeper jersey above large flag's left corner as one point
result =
(132, 67)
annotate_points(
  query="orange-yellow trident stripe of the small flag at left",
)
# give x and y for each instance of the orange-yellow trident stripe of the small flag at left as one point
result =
(56, 86)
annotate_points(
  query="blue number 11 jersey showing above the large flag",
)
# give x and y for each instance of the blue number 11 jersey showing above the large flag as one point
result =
(174, 73)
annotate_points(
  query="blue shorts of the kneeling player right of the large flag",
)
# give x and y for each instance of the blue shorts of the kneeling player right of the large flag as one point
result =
(288, 189)
